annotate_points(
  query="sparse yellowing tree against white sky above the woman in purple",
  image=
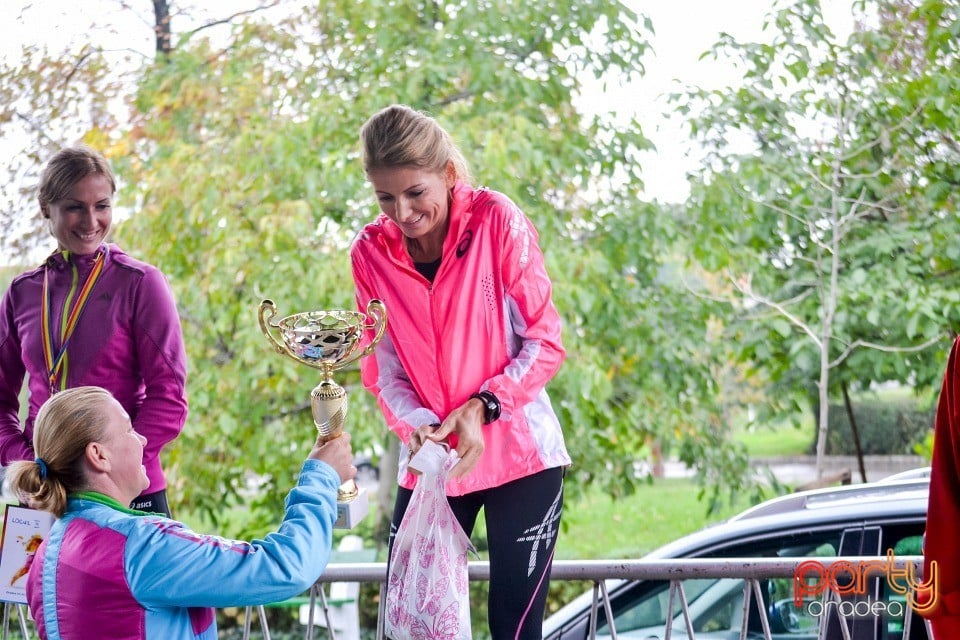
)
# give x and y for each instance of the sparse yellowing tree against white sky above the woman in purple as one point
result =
(51, 97)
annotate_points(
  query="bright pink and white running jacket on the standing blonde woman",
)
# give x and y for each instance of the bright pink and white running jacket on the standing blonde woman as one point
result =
(486, 322)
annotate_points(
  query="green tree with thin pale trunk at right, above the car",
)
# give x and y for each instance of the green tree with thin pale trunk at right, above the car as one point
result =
(830, 195)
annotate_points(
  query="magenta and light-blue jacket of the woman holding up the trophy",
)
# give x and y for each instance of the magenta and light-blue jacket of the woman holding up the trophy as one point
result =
(108, 573)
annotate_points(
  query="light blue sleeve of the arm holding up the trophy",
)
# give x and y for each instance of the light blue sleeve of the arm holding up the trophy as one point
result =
(167, 564)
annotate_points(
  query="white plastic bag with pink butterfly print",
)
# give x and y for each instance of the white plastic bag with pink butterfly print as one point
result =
(427, 584)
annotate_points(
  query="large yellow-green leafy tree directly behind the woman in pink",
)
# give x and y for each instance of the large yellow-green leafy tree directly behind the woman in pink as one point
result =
(244, 168)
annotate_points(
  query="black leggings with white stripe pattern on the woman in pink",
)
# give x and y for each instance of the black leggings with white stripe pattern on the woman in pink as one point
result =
(522, 518)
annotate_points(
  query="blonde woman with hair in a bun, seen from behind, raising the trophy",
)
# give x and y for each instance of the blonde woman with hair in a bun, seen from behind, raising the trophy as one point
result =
(107, 571)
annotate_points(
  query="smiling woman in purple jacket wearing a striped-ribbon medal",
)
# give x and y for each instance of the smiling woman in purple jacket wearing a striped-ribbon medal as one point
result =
(91, 314)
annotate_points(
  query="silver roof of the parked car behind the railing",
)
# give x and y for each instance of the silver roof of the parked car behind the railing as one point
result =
(876, 501)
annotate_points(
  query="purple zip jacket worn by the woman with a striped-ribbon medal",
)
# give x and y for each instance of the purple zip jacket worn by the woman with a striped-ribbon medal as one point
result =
(128, 341)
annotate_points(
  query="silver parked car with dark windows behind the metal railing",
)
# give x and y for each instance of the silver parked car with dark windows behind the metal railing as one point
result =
(853, 520)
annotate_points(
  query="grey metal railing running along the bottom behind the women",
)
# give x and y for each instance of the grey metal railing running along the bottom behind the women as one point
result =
(751, 570)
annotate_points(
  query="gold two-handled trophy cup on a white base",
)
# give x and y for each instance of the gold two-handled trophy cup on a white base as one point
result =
(328, 340)
